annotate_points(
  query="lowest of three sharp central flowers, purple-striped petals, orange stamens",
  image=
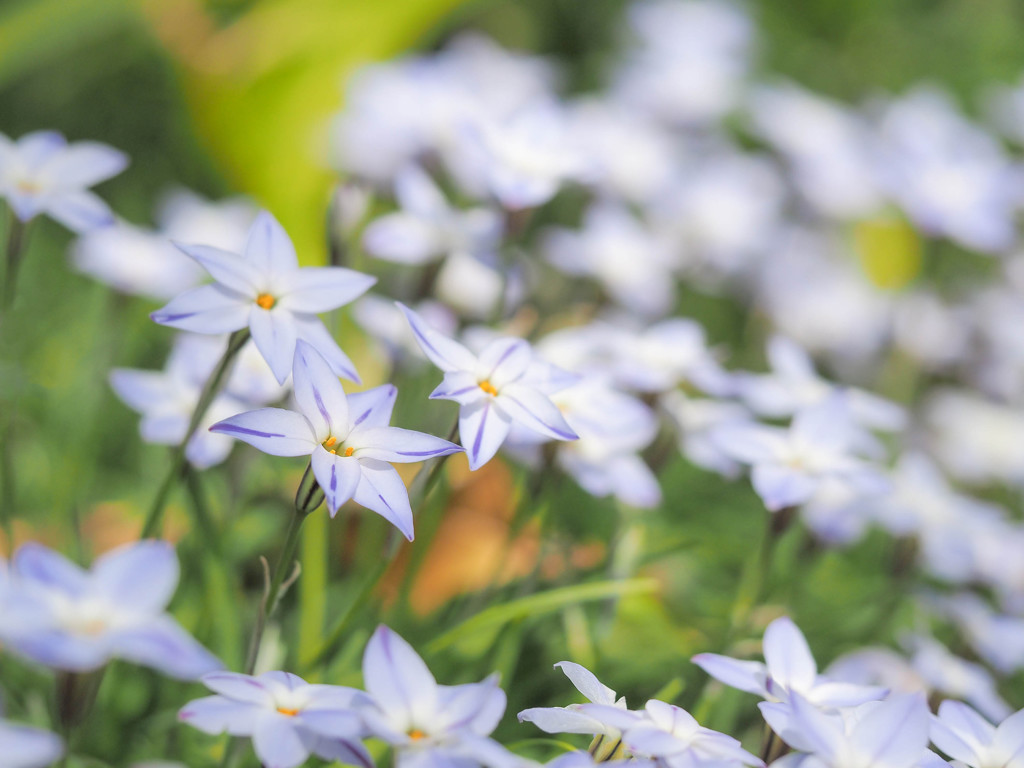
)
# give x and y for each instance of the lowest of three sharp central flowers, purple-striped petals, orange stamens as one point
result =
(348, 439)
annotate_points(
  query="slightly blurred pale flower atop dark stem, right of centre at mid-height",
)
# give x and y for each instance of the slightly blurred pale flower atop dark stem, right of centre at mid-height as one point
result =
(790, 465)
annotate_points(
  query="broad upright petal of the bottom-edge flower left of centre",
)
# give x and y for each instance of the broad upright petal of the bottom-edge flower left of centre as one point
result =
(398, 679)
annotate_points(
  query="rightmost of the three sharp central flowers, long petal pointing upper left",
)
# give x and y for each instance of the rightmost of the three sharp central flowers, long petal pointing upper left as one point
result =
(492, 391)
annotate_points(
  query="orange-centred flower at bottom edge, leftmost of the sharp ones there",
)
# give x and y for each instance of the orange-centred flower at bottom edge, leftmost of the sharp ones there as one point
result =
(286, 717)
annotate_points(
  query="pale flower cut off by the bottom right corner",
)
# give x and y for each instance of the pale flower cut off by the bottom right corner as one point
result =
(965, 736)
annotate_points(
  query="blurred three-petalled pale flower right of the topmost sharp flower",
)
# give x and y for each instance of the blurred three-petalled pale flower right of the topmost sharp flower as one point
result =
(428, 228)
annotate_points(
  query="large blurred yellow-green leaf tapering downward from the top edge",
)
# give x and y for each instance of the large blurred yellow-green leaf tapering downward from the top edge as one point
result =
(263, 91)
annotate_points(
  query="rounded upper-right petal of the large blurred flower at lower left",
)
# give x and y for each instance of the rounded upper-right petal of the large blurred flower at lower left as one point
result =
(140, 577)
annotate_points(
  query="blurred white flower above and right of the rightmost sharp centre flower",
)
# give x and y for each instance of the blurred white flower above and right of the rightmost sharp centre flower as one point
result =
(633, 266)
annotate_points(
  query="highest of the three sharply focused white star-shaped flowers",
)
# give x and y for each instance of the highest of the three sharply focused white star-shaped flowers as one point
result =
(266, 290)
